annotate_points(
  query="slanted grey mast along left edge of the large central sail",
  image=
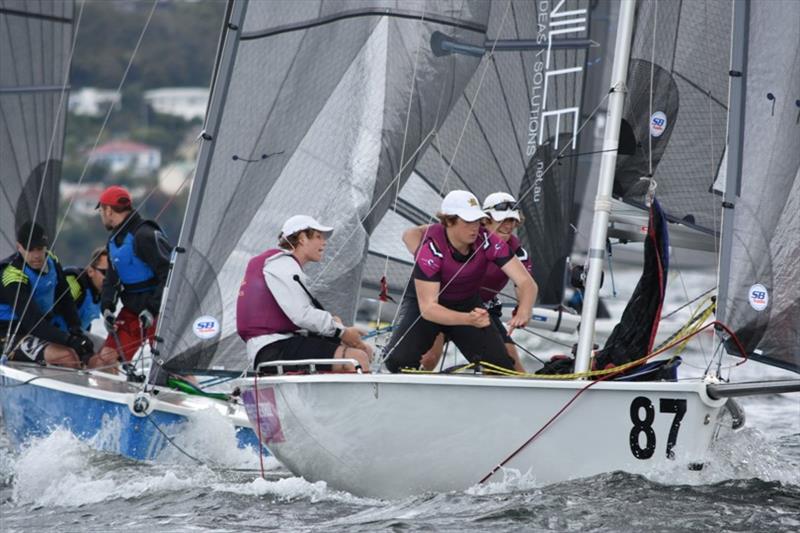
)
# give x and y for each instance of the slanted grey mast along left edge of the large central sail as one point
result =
(228, 46)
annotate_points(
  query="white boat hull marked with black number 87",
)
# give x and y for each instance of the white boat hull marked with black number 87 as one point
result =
(396, 435)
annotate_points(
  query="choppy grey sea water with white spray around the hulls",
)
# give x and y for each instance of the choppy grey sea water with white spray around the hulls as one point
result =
(751, 483)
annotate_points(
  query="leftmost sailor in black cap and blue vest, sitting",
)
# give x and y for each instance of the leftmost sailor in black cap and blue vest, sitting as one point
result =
(38, 319)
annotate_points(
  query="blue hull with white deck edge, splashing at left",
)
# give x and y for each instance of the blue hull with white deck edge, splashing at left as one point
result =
(37, 400)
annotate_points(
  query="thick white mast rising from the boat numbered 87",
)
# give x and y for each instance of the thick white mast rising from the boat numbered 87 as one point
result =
(602, 209)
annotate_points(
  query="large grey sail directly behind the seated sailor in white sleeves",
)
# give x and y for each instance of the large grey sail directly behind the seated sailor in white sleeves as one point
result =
(313, 110)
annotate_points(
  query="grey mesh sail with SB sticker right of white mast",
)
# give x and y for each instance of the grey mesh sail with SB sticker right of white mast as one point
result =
(674, 120)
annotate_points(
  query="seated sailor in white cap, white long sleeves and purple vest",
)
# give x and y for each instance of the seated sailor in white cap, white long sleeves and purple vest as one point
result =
(278, 317)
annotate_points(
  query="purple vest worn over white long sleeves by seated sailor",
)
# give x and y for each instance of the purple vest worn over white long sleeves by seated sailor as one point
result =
(257, 311)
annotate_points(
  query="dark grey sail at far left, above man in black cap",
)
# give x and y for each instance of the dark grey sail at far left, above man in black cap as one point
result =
(35, 45)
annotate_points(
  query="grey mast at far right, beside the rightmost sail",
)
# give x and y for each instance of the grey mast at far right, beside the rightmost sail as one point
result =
(733, 174)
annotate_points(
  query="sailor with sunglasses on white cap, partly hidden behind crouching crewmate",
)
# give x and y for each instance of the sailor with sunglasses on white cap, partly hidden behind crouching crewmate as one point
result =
(503, 217)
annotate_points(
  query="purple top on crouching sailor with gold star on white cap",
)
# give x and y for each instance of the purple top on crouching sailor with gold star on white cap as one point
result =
(460, 275)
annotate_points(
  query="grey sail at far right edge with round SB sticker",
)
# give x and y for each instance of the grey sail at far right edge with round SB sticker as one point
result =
(763, 303)
